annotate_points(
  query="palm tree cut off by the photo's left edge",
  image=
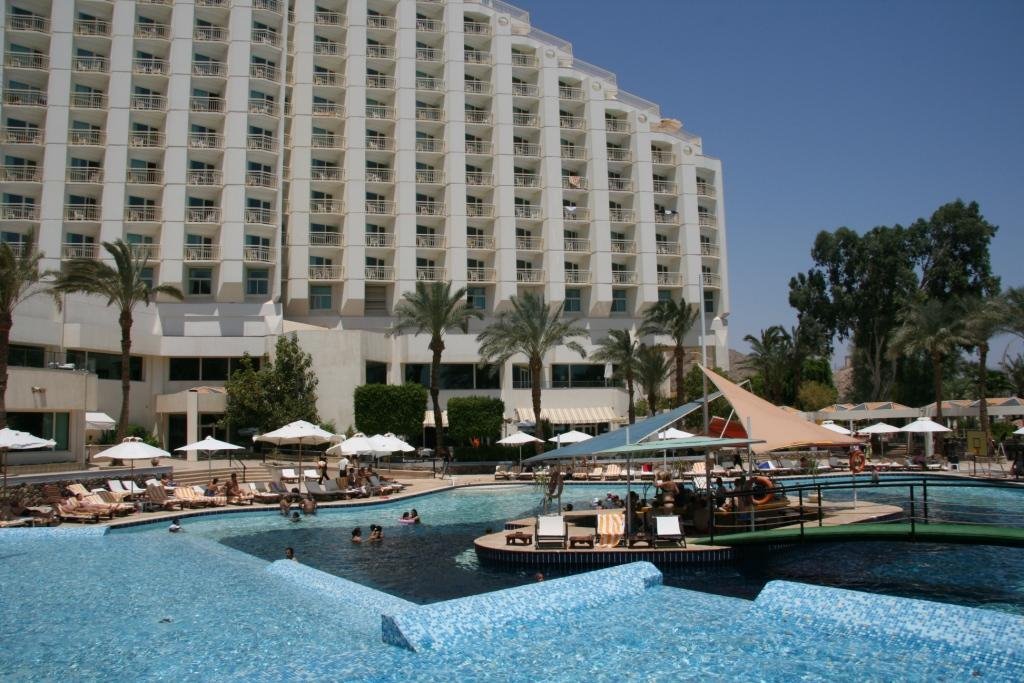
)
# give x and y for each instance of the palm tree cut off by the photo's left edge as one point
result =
(20, 278)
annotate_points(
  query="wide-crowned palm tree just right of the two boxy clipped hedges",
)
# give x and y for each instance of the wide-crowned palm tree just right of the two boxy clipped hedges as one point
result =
(533, 328)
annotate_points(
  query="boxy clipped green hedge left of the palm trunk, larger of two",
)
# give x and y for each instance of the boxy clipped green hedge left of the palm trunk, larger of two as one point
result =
(391, 408)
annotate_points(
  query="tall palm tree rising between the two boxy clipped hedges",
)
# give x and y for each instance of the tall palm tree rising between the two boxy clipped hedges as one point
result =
(434, 310)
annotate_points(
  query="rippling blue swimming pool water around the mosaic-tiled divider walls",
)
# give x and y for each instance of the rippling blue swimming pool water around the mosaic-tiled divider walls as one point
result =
(144, 605)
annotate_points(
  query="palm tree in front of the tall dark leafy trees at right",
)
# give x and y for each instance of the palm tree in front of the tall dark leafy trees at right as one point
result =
(936, 328)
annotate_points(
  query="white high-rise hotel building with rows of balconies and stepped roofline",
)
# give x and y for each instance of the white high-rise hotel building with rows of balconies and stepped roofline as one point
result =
(297, 165)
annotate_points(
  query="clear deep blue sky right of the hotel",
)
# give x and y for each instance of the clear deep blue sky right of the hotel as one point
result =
(825, 114)
